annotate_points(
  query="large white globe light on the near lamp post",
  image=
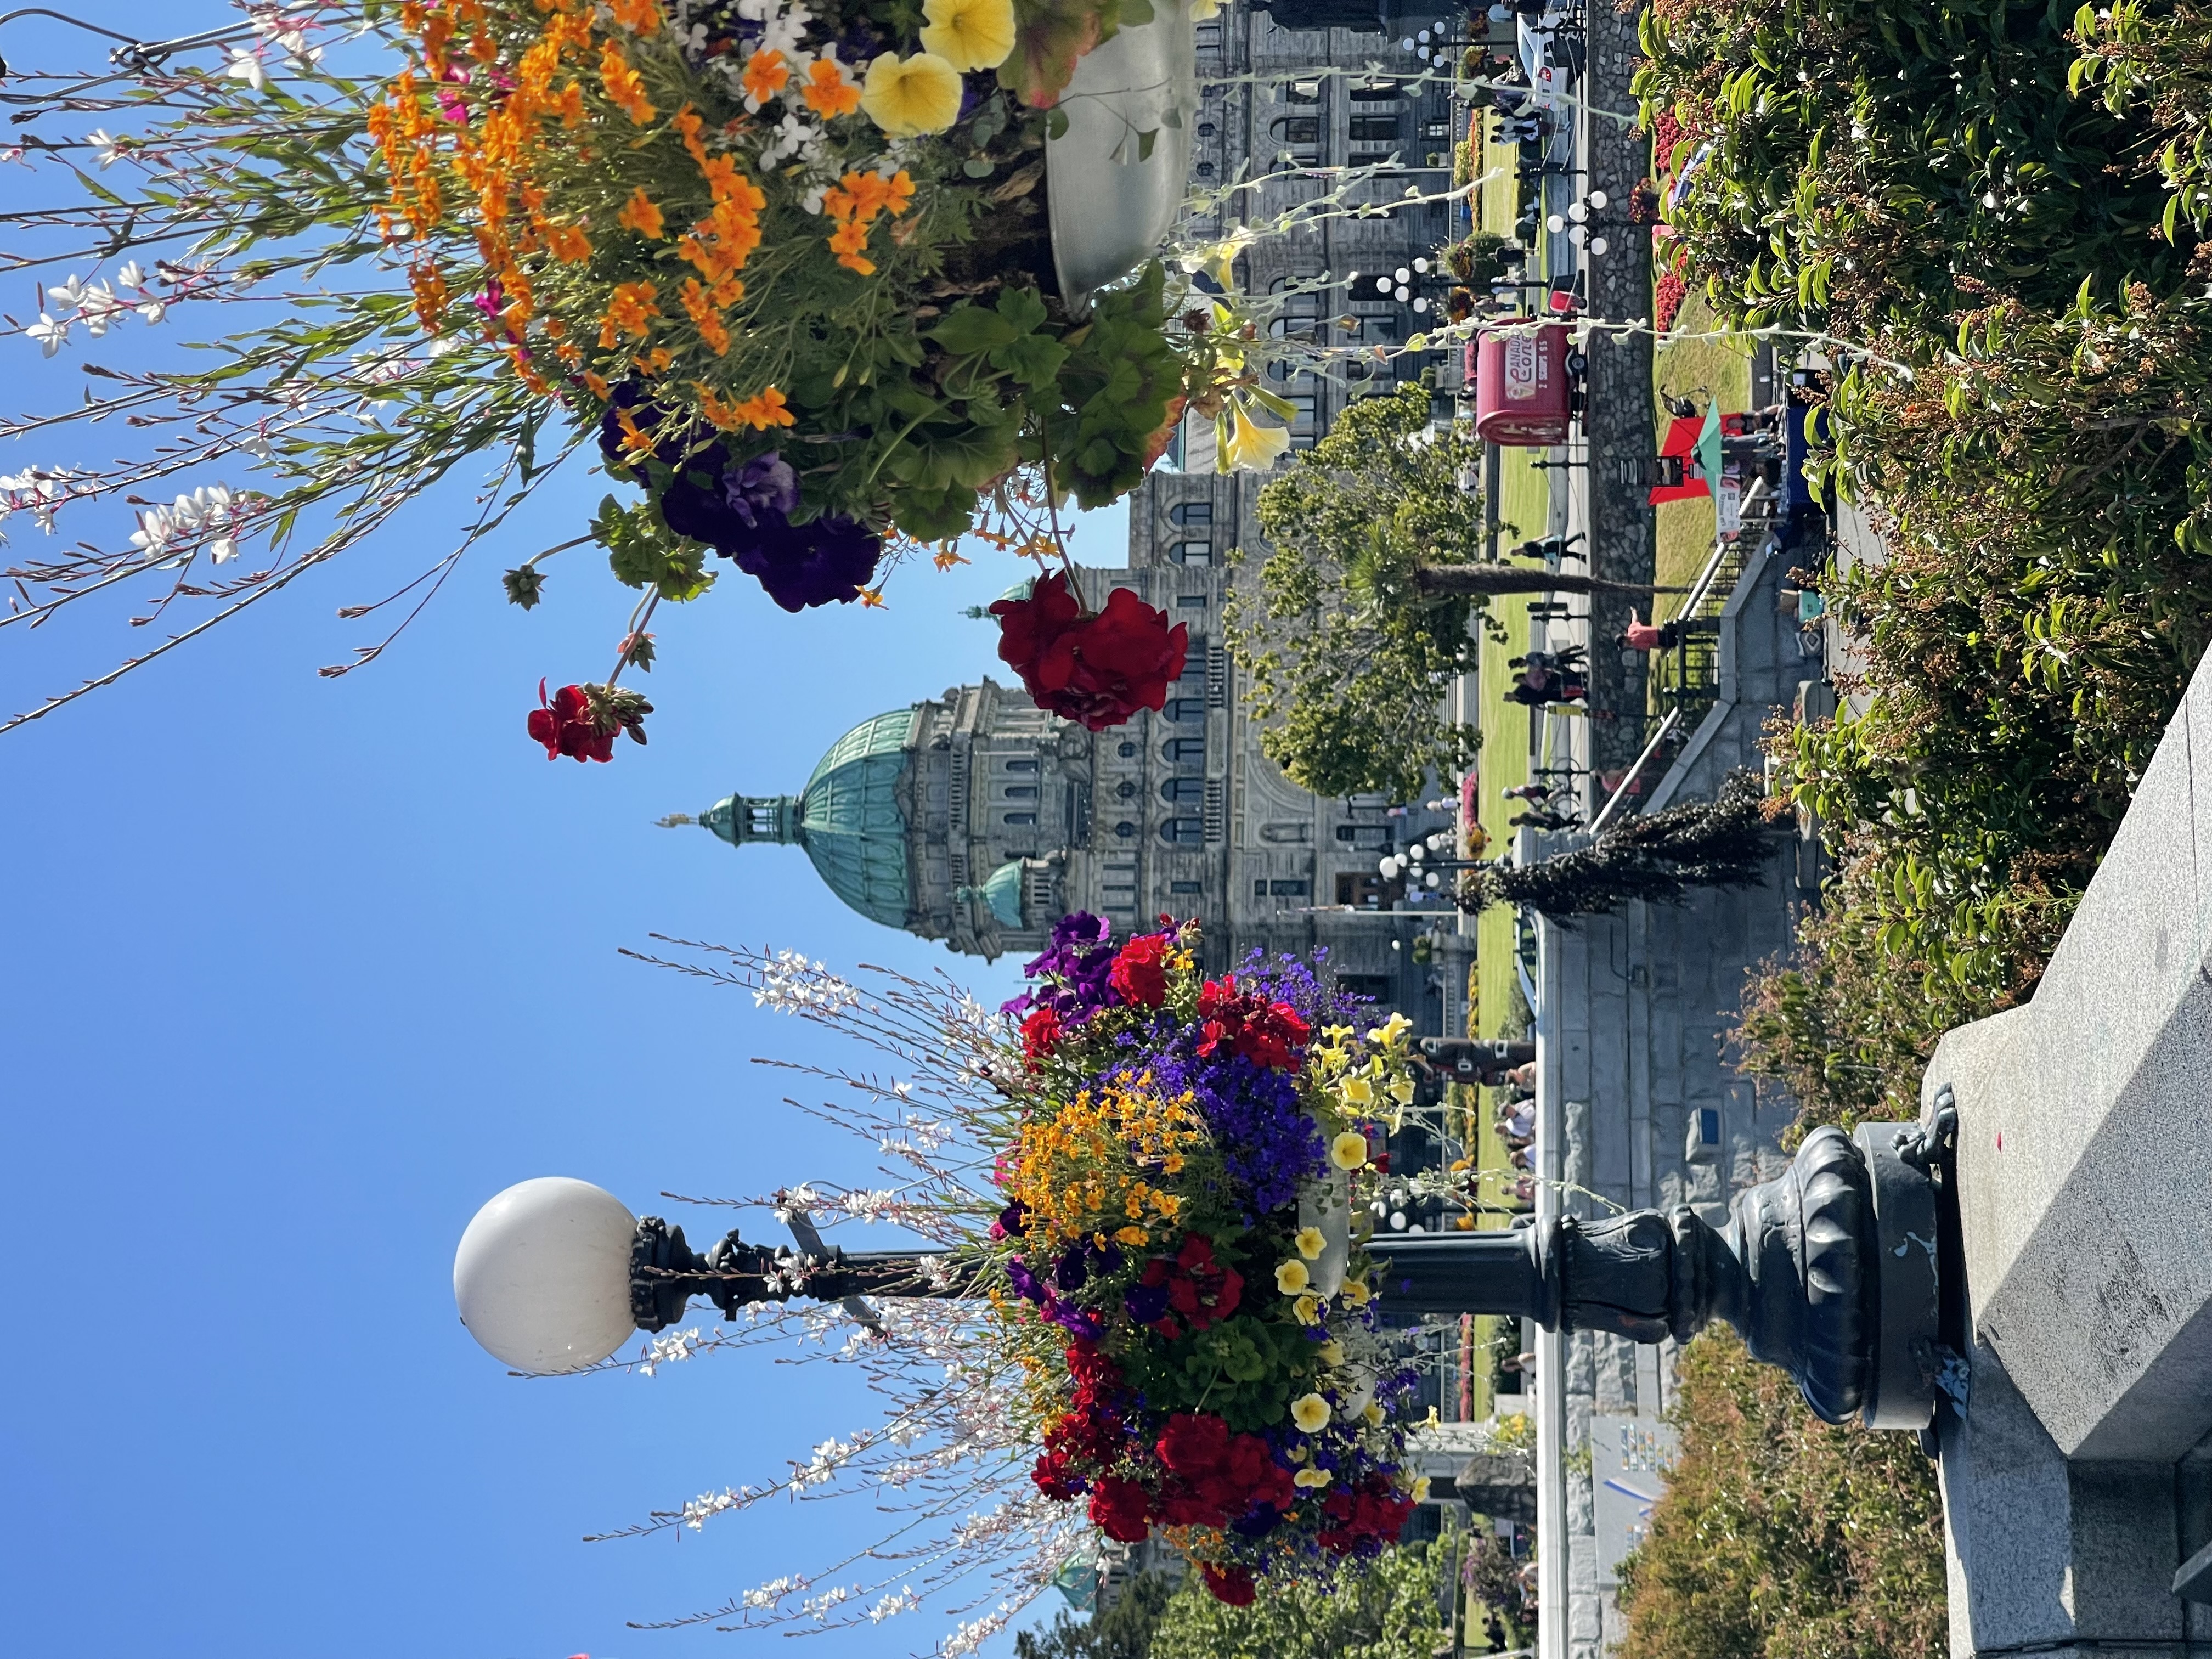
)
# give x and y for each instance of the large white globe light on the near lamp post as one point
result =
(543, 1275)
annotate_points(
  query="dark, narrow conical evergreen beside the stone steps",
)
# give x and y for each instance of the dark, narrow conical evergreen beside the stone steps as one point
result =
(1702, 844)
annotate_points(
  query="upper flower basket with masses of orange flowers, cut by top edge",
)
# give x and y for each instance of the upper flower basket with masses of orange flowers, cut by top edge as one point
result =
(828, 284)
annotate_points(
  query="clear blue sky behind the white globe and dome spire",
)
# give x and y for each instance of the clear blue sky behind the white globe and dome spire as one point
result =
(300, 974)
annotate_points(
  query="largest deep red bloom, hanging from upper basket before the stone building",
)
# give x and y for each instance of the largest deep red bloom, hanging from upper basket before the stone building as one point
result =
(1094, 669)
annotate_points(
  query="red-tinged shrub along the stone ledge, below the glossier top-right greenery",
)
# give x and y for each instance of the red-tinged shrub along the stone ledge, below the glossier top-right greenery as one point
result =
(2043, 607)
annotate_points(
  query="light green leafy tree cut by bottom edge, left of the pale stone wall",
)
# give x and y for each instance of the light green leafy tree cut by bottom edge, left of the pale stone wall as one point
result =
(1381, 1609)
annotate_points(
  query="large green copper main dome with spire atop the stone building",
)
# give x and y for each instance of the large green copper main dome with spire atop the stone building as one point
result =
(848, 820)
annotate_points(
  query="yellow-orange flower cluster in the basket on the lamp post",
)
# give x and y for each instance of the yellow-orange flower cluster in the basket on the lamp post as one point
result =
(1081, 1171)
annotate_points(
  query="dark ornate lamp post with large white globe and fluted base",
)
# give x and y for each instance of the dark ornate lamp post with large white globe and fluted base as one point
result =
(1828, 1273)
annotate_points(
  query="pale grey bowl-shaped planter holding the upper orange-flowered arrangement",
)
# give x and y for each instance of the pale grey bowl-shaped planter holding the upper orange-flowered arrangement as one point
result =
(1112, 194)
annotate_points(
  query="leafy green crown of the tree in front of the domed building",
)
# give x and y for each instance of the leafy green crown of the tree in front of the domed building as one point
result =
(1348, 656)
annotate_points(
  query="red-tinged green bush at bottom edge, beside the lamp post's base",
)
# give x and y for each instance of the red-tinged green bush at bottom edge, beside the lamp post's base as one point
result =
(1782, 1536)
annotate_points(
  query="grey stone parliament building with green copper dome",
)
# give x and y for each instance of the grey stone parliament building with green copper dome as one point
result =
(979, 820)
